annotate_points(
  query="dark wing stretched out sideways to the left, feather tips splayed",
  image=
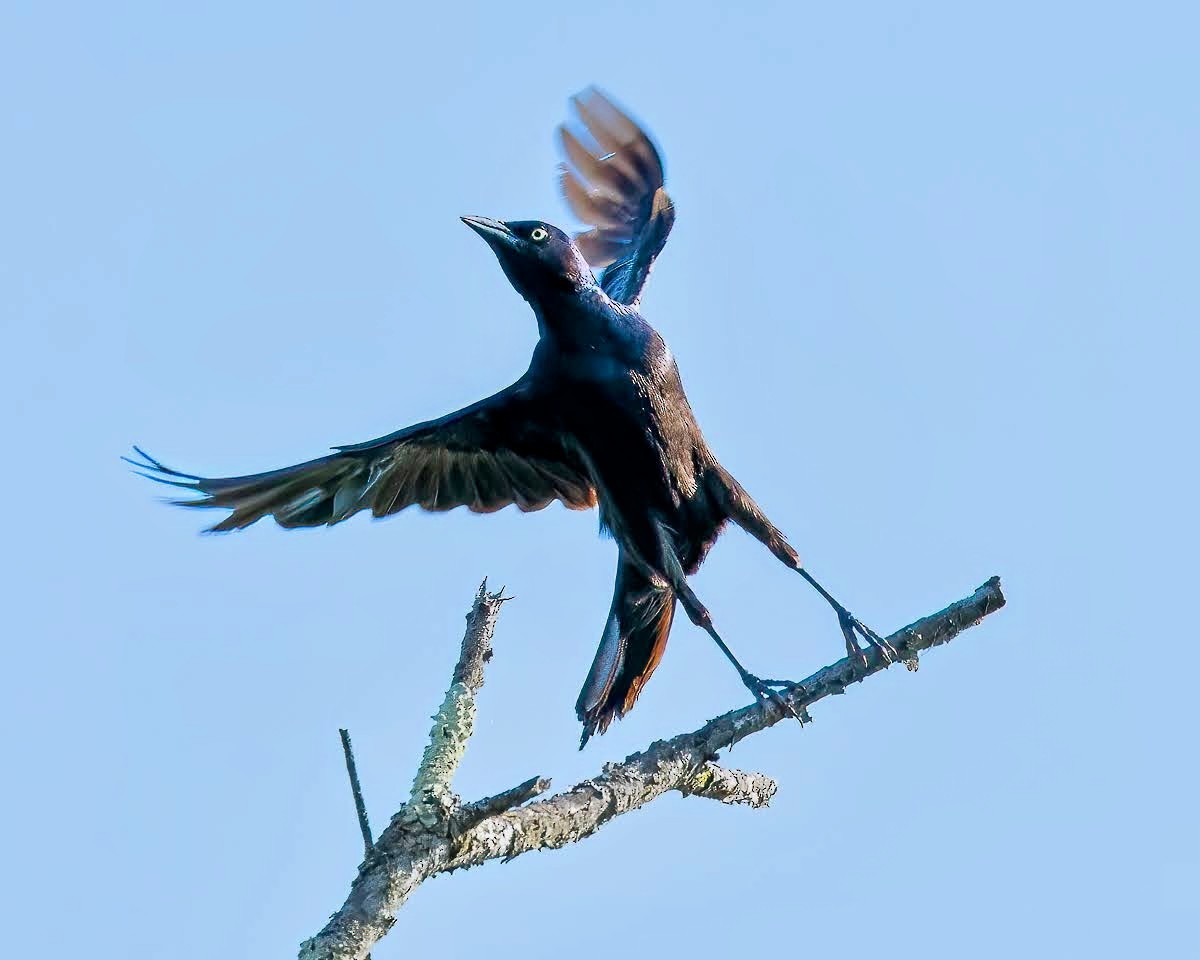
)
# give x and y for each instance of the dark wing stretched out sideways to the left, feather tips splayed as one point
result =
(499, 452)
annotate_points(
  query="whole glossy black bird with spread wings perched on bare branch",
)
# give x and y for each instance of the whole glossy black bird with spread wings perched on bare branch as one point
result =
(599, 419)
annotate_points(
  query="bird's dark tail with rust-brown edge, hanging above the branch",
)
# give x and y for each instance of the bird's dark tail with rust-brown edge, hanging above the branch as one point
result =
(632, 647)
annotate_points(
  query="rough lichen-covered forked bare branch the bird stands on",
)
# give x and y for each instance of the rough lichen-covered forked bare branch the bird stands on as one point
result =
(430, 837)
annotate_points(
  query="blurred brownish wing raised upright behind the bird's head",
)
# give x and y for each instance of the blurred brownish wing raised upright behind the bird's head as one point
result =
(615, 184)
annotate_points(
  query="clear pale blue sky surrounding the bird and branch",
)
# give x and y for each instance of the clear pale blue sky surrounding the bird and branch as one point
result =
(933, 289)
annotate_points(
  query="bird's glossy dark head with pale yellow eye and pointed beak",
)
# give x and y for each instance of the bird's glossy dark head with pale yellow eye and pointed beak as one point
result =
(539, 260)
